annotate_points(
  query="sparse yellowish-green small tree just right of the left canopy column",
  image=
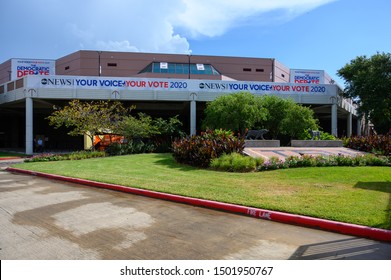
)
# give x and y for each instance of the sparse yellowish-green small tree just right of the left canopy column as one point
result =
(89, 118)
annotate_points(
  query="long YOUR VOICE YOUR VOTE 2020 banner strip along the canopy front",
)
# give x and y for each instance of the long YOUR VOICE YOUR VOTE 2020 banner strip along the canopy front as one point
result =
(175, 85)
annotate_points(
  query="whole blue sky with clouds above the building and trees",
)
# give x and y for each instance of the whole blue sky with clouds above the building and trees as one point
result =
(301, 34)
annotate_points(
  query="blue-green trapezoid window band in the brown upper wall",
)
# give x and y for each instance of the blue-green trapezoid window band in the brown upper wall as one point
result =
(180, 68)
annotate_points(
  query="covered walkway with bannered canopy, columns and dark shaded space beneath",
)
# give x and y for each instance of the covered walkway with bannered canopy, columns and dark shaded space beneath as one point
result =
(26, 103)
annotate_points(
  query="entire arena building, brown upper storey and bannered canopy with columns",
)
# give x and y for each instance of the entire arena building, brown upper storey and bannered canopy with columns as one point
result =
(161, 85)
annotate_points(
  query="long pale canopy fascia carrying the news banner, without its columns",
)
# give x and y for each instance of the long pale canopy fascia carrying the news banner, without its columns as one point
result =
(87, 87)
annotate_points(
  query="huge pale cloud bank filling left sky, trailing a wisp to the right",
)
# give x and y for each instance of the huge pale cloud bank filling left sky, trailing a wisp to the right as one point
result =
(57, 27)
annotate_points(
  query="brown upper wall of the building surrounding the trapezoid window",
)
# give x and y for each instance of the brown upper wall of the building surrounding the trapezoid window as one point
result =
(128, 64)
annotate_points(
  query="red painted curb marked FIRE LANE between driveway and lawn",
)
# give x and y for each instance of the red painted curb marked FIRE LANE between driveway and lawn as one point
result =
(344, 228)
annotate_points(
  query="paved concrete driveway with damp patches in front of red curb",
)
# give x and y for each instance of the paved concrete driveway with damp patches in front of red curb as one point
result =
(44, 219)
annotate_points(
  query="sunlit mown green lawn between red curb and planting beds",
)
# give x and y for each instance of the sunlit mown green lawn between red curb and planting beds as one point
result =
(359, 195)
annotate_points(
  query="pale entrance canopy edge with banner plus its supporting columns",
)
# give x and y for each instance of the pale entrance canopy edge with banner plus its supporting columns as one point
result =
(162, 90)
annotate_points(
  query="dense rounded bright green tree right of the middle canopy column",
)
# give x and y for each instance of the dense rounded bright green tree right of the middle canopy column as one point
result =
(240, 111)
